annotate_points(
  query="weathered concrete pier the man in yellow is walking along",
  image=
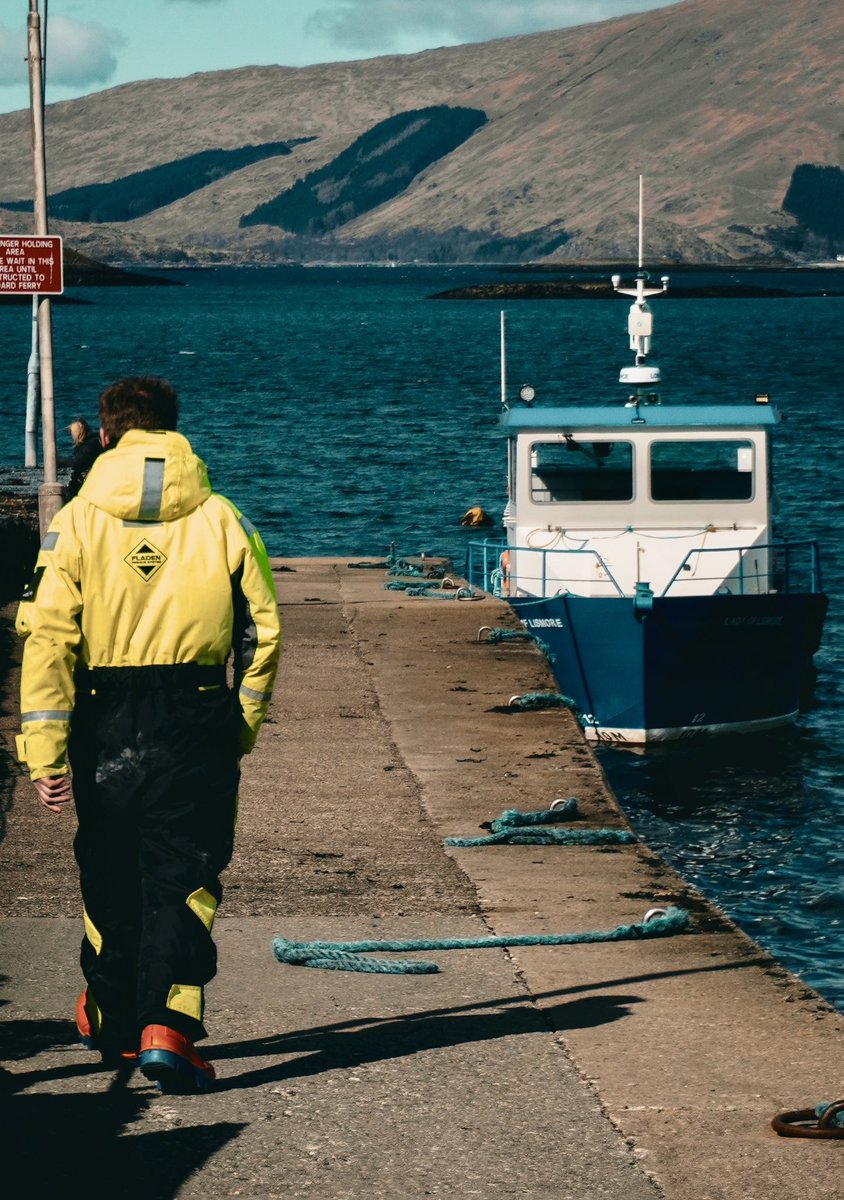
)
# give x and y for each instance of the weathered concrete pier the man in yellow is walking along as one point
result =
(636, 1070)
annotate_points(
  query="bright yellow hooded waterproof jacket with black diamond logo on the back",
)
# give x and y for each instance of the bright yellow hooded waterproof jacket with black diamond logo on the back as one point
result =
(146, 567)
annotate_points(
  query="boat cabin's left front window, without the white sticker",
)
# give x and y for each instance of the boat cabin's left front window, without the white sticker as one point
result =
(571, 471)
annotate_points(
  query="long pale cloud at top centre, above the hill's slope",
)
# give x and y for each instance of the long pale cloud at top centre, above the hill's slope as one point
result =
(363, 25)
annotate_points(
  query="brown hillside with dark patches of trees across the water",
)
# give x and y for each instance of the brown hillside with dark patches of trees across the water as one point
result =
(728, 109)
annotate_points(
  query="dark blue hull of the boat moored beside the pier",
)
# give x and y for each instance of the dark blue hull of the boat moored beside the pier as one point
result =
(683, 668)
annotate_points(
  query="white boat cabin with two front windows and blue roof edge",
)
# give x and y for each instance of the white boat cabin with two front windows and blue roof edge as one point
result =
(638, 500)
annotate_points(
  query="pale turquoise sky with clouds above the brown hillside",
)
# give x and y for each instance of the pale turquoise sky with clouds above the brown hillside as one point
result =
(93, 45)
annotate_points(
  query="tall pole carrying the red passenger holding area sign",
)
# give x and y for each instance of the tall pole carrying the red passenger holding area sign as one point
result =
(50, 495)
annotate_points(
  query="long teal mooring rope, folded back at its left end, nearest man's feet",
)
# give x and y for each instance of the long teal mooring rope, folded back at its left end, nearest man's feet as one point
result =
(345, 956)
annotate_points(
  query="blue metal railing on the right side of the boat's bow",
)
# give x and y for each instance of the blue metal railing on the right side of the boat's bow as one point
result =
(785, 567)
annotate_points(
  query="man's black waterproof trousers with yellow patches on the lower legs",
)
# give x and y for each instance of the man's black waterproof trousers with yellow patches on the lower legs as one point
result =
(154, 754)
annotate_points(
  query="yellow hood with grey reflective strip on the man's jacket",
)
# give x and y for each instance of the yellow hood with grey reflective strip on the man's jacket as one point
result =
(148, 477)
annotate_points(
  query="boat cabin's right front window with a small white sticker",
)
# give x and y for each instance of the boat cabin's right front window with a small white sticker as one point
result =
(702, 471)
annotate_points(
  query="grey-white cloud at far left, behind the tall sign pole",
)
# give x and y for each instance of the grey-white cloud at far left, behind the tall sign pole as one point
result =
(79, 53)
